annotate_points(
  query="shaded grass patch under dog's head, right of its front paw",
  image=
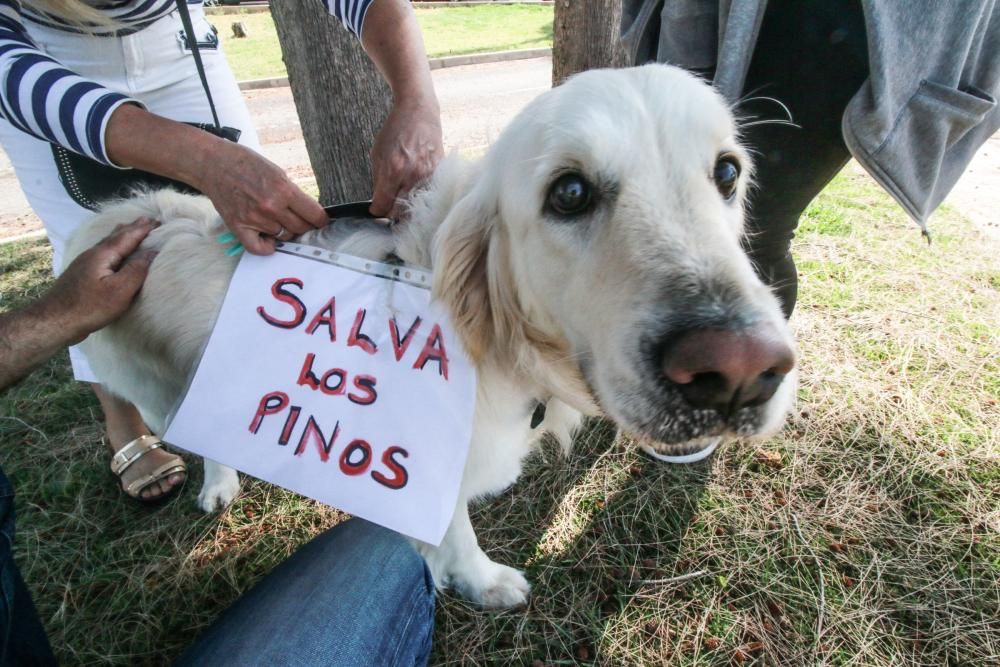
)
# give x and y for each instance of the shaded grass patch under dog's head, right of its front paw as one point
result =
(588, 530)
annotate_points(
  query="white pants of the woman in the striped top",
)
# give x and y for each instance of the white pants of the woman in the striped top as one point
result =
(153, 67)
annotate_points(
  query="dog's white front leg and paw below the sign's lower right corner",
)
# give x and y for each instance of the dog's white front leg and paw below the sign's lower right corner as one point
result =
(459, 563)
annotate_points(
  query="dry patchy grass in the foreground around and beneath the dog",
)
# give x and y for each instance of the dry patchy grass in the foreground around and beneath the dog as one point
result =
(867, 533)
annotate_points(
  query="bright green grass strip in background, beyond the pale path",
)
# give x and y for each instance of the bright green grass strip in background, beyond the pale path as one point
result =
(447, 31)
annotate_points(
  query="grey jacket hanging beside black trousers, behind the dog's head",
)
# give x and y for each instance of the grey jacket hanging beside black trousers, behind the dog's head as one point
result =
(929, 103)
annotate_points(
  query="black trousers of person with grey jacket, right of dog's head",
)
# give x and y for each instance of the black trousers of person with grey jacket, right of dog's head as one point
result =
(812, 55)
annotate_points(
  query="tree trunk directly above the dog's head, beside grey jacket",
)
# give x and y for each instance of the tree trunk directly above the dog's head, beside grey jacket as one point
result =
(585, 36)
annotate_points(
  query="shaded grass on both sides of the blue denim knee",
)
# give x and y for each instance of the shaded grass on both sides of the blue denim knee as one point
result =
(116, 582)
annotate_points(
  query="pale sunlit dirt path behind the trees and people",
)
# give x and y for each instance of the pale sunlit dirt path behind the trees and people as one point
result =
(477, 101)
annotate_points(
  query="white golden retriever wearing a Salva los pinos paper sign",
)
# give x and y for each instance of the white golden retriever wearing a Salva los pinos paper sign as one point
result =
(591, 262)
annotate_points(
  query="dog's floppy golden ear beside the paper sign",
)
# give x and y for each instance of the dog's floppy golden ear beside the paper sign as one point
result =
(461, 280)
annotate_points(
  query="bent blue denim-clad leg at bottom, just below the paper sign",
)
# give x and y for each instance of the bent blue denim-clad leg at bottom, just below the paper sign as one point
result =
(358, 594)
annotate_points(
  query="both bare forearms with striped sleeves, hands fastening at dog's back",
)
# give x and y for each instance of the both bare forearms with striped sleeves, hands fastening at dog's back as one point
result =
(253, 195)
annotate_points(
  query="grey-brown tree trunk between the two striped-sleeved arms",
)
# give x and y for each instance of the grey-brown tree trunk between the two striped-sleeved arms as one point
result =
(340, 97)
